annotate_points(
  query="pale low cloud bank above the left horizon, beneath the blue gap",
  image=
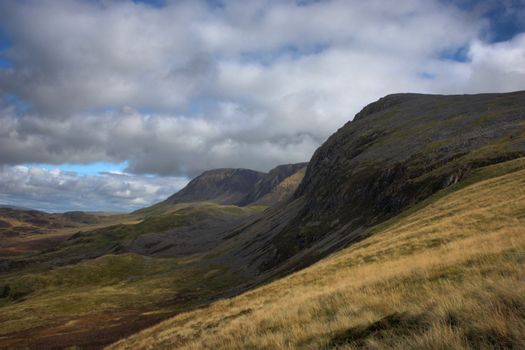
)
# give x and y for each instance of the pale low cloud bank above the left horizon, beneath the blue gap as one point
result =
(57, 191)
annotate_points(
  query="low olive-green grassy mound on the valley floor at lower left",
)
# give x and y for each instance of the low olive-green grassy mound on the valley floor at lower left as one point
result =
(108, 284)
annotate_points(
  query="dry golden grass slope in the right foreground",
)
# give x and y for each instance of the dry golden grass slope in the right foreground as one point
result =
(449, 276)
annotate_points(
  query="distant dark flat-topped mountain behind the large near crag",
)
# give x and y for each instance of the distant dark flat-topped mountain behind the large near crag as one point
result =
(234, 186)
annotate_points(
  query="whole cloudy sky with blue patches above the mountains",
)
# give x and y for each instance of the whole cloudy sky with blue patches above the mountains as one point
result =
(115, 105)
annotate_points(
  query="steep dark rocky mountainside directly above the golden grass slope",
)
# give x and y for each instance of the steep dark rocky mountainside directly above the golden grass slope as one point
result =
(397, 152)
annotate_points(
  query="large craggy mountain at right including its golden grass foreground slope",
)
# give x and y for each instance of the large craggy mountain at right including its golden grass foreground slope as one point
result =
(421, 197)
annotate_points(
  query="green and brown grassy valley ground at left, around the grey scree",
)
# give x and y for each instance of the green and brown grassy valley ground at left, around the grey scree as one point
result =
(91, 290)
